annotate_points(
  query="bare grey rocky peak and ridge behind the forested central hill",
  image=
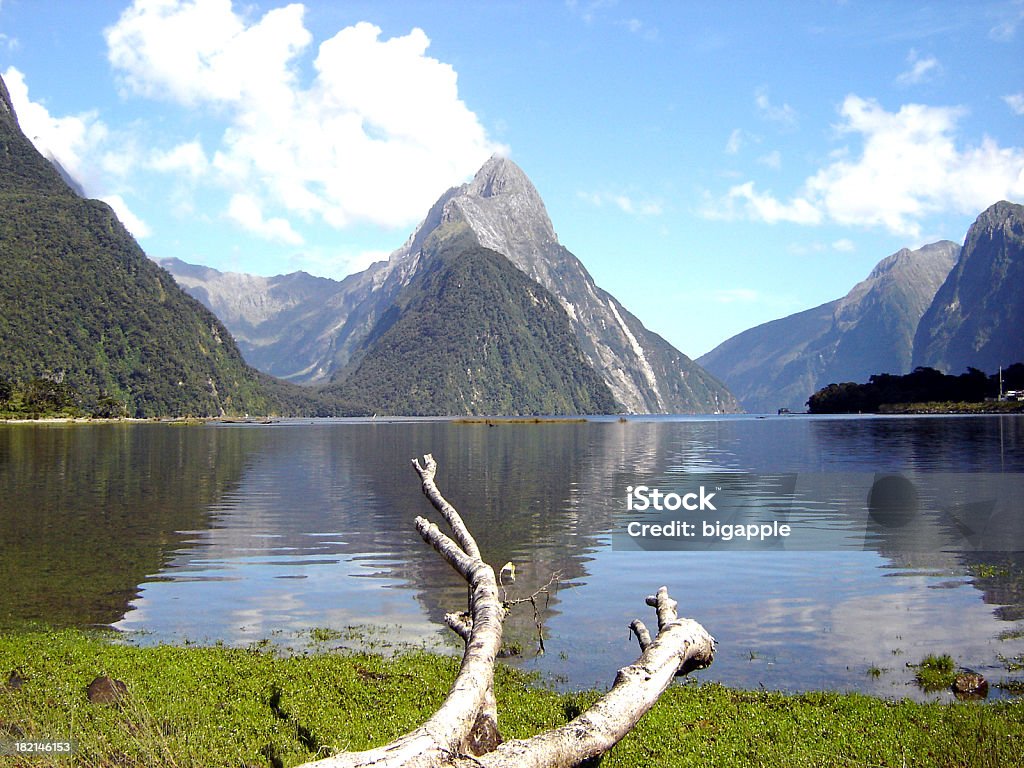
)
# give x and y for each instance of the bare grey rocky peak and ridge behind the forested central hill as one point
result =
(503, 212)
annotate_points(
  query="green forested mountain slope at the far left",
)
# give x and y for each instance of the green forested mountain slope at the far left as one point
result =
(82, 307)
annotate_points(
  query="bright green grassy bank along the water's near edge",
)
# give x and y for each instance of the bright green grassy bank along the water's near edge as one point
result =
(221, 707)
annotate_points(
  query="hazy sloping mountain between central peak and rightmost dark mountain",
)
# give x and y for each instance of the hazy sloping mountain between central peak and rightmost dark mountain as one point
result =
(869, 331)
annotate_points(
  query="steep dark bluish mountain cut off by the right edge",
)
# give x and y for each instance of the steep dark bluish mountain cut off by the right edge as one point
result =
(977, 318)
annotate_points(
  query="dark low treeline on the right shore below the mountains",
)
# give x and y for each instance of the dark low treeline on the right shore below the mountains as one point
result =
(921, 386)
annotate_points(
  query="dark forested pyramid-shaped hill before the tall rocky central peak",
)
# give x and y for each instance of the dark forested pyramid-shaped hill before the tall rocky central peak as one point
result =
(472, 334)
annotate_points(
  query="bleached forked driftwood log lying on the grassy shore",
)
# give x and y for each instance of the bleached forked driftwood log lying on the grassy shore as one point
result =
(464, 734)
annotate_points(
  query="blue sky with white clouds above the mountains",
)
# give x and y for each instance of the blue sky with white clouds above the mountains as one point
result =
(714, 165)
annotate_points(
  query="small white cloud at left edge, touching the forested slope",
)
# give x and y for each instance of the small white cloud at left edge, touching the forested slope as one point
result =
(70, 140)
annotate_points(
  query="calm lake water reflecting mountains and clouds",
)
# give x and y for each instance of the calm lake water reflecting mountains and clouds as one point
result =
(241, 533)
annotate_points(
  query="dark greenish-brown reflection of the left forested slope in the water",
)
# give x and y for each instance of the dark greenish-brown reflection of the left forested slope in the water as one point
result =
(87, 514)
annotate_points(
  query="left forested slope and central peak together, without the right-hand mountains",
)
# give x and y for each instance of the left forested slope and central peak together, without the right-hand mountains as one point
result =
(449, 325)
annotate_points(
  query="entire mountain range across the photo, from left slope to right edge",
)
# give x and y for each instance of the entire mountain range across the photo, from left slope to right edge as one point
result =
(482, 312)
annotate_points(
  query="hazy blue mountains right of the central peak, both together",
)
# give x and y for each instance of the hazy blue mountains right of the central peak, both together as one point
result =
(942, 307)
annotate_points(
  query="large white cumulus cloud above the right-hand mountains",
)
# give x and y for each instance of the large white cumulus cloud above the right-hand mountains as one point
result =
(910, 166)
